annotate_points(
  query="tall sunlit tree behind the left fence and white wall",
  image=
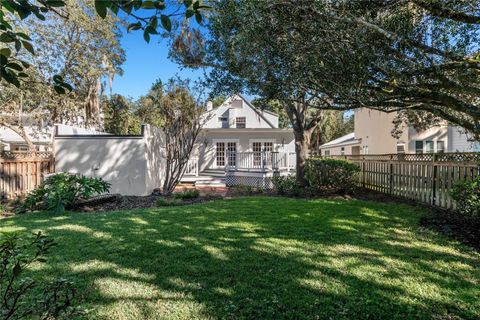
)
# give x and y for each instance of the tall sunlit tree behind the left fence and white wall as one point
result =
(84, 49)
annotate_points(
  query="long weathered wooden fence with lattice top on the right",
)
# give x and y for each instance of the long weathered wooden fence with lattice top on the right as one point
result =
(426, 178)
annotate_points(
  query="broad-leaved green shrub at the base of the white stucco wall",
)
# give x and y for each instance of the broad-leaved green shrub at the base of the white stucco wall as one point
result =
(61, 191)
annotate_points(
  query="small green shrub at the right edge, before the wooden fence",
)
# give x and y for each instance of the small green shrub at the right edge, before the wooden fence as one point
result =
(467, 197)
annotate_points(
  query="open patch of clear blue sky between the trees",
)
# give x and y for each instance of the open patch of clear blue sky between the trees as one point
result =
(146, 62)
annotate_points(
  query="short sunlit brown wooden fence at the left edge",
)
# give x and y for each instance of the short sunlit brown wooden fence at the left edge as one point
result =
(21, 172)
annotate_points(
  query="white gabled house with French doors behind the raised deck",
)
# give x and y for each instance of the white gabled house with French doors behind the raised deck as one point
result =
(236, 134)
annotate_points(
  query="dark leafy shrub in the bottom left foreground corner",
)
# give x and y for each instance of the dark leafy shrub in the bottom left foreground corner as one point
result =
(23, 297)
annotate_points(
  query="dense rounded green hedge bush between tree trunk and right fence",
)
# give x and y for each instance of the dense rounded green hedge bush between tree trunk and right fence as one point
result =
(331, 176)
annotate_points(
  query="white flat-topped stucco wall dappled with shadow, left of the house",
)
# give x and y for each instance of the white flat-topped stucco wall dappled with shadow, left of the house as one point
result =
(132, 164)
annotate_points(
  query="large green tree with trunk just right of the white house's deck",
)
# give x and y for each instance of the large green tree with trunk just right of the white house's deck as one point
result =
(284, 51)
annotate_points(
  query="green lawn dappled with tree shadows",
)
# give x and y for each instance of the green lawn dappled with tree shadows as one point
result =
(260, 258)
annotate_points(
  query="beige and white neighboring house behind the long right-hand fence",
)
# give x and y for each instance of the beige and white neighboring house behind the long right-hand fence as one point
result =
(372, 135)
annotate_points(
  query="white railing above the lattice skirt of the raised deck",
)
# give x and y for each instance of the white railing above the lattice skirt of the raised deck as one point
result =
(262, 160)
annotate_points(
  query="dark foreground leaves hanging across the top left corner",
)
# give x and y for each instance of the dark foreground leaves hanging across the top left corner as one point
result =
(12, 69)
